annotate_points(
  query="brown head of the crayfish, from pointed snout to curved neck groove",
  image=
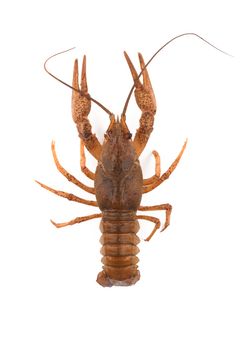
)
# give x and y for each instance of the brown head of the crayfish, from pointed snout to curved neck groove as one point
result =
(118, 153)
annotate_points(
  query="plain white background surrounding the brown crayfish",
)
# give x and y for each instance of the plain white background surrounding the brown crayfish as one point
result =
(192, 292)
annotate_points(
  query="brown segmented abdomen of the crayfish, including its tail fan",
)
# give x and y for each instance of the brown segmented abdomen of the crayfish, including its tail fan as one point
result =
(119, 248)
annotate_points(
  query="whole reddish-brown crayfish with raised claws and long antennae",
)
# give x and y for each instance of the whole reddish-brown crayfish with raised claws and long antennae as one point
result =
(118, 179)
